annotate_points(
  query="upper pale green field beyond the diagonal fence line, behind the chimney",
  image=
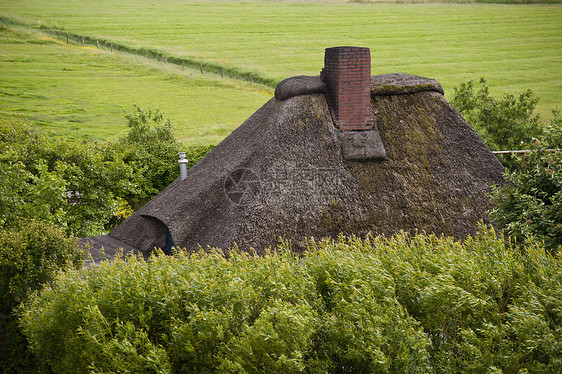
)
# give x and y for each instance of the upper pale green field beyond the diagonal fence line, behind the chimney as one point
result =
(515, 47)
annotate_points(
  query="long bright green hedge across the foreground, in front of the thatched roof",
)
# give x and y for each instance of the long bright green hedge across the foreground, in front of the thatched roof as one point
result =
(405, 304)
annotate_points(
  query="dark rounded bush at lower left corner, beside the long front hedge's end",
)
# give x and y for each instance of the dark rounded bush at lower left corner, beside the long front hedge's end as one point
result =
(30, 258)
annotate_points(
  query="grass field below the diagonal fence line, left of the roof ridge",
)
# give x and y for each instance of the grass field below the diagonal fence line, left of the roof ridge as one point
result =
(84, 92)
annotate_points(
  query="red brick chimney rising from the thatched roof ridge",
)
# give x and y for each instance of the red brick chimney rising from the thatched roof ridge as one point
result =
(347, 73)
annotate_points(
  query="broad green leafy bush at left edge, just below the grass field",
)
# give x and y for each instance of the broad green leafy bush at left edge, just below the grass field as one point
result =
(54, 180)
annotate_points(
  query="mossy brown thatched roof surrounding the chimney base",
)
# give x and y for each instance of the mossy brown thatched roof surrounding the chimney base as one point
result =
(282, 173)
